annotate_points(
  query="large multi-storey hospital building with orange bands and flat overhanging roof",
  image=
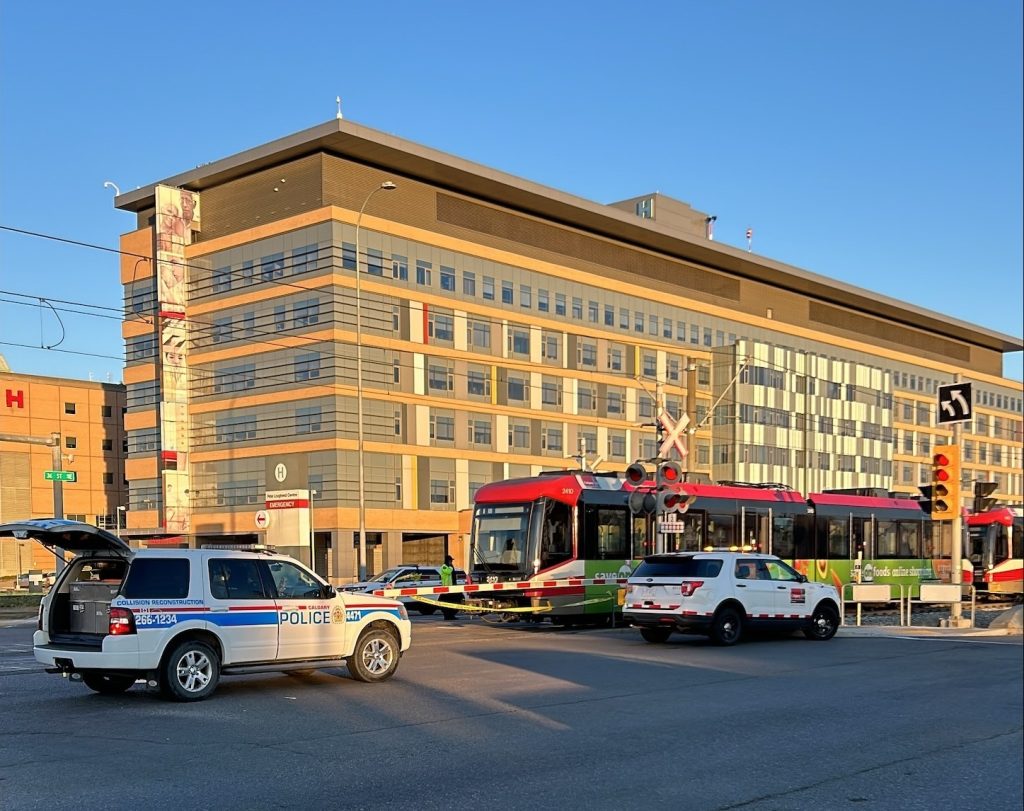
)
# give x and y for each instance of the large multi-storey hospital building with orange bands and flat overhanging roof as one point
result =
(503, 327)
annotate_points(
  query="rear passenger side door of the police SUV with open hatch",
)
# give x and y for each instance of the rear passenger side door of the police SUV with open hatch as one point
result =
(243, 610)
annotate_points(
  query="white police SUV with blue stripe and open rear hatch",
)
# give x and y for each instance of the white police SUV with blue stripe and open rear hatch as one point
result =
(182, 618)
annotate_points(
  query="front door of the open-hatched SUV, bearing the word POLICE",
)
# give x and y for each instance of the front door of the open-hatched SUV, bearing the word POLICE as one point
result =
(308, 630)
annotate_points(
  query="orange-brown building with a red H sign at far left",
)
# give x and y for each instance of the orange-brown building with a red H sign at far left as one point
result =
(87, 419)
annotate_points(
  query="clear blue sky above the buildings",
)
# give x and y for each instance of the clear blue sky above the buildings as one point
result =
(877, 143)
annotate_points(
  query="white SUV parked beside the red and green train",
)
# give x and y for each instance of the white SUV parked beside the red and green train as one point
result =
(720, 593)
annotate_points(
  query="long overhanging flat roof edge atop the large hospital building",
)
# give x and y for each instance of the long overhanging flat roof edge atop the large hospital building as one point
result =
(370, 147)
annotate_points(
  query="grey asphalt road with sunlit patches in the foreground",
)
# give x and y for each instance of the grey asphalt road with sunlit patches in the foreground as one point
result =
(483, 716)
